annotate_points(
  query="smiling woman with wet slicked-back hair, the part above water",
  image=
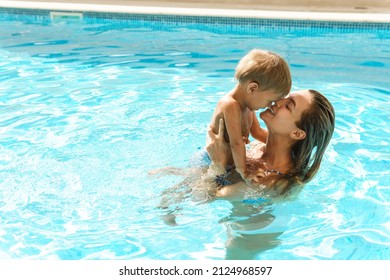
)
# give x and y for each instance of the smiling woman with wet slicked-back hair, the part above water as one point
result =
(299, 130)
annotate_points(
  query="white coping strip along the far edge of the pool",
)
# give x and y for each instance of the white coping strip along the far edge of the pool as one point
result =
(208, 12)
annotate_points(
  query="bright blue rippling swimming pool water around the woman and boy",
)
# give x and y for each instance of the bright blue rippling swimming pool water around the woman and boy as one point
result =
(89, 107)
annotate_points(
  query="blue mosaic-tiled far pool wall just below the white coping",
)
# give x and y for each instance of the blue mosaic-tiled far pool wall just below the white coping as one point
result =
(220, 24)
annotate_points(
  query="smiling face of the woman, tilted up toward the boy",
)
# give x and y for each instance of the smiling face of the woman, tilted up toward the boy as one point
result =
(282, 117)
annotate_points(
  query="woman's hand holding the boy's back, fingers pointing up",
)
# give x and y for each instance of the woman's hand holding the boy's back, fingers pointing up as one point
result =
(218, 149)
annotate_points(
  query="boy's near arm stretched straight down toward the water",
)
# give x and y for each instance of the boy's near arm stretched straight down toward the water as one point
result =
(232, 116)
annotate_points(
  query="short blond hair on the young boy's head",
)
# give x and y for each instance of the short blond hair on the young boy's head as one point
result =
(267, 69)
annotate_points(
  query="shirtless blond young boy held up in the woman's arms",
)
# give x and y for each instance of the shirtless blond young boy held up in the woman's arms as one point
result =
(263, 77)
